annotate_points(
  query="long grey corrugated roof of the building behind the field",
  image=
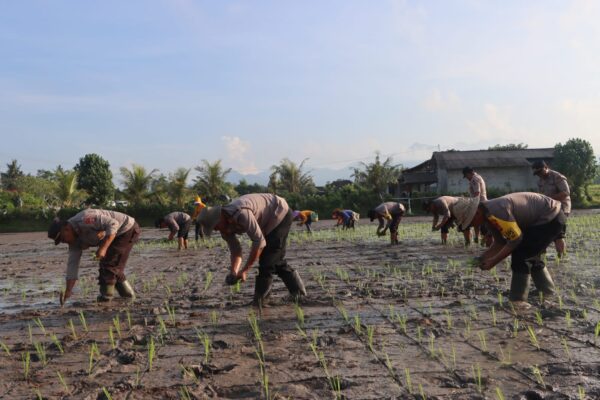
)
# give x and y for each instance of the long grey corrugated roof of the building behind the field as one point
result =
(490, 158)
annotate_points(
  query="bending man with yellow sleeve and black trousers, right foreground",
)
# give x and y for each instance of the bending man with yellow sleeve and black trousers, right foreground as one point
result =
(523, 225)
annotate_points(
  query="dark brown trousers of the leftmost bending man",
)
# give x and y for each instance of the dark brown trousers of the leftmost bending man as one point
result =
(112, 267)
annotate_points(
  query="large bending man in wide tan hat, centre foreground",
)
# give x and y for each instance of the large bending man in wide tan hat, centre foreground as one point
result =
(266, 219)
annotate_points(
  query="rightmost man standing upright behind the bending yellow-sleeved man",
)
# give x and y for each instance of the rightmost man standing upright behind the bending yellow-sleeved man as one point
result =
(554, 185)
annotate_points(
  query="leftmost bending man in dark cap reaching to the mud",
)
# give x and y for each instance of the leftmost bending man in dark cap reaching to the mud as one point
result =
(114, 234)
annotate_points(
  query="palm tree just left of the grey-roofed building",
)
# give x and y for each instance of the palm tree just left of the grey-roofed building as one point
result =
(377, 176)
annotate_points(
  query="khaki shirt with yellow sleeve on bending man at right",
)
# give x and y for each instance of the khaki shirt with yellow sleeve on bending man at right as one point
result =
(509, 215)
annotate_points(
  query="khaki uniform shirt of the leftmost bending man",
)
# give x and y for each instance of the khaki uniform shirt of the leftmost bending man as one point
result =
(91, 226)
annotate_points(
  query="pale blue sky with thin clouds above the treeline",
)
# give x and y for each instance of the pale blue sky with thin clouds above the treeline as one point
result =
(168, 83)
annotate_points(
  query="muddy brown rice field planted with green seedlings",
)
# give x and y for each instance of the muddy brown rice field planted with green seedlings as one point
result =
(410, 321)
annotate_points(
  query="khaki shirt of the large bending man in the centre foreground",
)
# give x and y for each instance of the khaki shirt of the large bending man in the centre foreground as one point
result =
(257, 214)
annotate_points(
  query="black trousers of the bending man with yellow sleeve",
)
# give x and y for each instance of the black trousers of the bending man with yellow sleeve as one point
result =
(535, 241)
